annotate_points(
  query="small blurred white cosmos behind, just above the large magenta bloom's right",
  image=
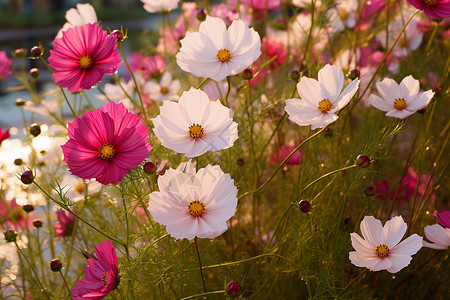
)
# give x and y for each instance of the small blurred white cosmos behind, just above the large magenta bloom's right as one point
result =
(166, 89)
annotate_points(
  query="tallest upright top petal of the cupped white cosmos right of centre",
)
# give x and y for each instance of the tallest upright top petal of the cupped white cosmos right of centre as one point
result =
(331, 79)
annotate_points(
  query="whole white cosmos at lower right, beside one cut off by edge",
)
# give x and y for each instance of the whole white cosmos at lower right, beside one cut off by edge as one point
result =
(380, 249)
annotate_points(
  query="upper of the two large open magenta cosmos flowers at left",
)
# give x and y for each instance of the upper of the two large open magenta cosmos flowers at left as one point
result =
(82, 56)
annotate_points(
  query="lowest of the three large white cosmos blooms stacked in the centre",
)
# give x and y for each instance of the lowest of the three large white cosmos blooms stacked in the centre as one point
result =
(193, 205)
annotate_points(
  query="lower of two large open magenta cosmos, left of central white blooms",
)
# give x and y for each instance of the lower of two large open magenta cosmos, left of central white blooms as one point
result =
(106, 143)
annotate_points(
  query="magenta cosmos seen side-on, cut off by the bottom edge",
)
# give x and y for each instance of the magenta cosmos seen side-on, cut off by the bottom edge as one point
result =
(102, 274)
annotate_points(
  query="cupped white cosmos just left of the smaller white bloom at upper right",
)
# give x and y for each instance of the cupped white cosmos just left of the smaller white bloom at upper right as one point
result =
(320, 100)
